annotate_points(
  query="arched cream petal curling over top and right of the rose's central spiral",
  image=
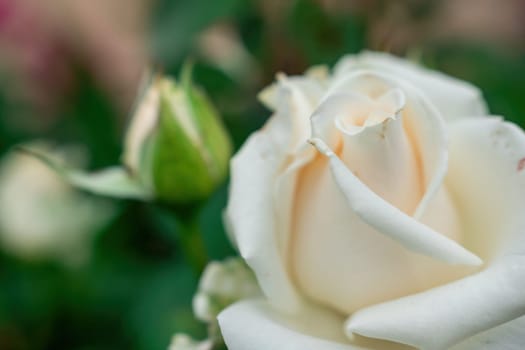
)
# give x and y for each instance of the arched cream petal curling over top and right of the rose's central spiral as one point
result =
(423, 124)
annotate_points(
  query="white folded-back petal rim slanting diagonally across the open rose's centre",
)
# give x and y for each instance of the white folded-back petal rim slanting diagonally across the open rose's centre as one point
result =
(391, 221)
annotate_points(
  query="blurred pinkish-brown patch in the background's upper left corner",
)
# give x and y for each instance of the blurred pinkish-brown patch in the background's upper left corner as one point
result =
(40, 42)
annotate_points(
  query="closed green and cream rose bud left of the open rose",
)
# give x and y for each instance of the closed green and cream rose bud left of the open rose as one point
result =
(176, 144)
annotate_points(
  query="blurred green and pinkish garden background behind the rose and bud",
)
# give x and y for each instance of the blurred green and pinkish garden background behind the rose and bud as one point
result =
(80, 272)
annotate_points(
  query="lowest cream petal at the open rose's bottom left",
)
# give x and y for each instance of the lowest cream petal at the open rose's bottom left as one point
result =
(255, 325)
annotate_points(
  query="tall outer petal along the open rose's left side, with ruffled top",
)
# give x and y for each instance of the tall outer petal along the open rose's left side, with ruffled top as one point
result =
(262, 184)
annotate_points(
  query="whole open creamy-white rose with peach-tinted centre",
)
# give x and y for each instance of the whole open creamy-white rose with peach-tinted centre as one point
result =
(402, 227)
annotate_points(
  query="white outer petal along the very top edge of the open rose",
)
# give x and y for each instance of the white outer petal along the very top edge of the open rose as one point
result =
(454, 98)
